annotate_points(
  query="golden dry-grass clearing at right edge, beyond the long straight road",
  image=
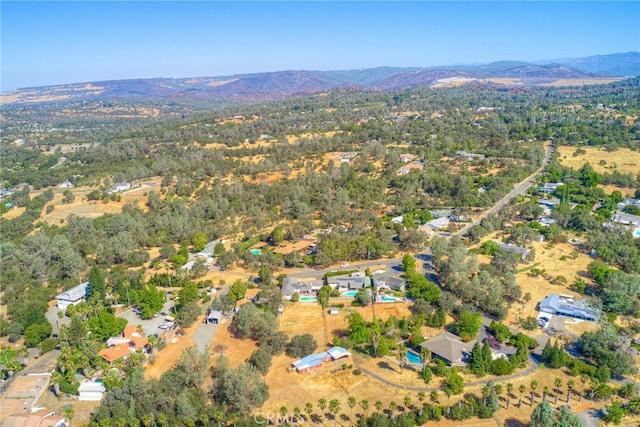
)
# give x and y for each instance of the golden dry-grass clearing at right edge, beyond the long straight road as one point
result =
(622, 160)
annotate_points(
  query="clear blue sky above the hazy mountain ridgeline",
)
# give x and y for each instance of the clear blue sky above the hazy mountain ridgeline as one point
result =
(53, 42)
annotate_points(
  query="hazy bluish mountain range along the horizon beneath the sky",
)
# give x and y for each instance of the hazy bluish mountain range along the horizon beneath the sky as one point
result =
(282, 84)
